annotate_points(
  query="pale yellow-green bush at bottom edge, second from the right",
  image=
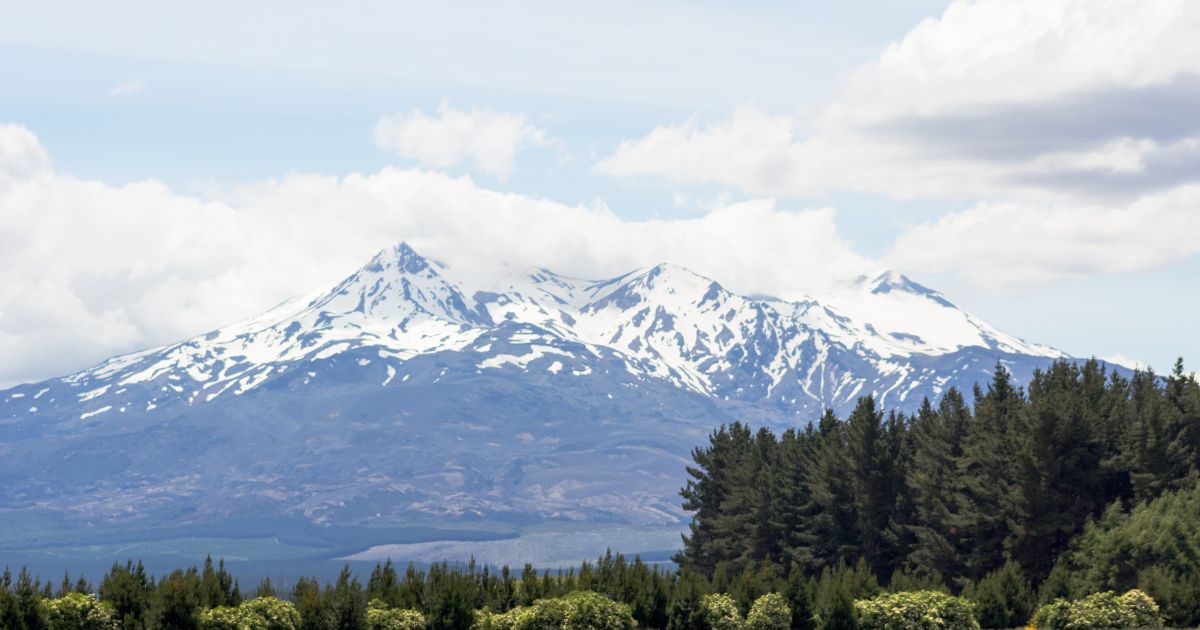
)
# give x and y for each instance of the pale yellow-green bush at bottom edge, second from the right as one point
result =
(922, 610)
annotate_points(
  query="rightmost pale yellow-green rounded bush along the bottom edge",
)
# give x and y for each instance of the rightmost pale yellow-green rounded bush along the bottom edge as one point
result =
(1101, 611)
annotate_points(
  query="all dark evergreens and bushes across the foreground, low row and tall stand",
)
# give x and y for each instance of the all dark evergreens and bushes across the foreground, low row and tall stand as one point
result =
(1081, 482)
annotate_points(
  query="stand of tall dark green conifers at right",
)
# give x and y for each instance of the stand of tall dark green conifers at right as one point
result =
(955, 493)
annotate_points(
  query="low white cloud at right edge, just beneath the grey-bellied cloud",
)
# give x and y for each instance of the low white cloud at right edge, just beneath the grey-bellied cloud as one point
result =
(1015, 243)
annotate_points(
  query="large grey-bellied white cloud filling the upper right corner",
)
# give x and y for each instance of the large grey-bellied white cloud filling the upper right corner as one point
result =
(1028, 99)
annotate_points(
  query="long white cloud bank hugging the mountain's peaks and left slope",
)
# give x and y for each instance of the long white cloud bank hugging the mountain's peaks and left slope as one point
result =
(89, 271)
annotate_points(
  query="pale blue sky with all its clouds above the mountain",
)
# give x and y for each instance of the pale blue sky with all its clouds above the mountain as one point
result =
(163, 160)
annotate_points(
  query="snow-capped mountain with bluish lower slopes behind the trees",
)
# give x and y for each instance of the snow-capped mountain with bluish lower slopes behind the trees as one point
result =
(399, 395)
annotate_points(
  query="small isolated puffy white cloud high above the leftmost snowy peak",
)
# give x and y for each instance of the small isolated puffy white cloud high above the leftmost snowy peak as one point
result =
(488, 139)
